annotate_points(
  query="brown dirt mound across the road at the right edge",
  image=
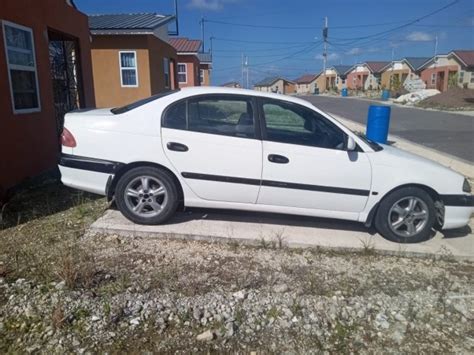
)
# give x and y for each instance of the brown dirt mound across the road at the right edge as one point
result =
(455, 99)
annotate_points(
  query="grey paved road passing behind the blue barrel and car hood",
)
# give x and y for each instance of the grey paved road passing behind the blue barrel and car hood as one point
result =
(445, 132)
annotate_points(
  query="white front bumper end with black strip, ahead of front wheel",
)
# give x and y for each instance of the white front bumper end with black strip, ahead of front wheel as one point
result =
(458, 210)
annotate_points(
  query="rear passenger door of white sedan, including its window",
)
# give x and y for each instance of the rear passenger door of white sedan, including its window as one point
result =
(215, 145)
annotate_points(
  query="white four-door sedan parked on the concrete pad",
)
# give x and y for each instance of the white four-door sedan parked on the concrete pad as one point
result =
(248, 150)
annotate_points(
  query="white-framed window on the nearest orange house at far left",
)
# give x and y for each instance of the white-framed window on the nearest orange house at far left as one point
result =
(20, 51)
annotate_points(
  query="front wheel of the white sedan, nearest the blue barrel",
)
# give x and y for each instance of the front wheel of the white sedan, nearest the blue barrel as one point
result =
(406, 215)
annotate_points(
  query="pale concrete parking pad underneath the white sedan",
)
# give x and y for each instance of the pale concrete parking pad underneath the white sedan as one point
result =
(291, 231)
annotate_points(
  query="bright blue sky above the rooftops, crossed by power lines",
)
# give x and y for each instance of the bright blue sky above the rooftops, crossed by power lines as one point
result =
(284, 38)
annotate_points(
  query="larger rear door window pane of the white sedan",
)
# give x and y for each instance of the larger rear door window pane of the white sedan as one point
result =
(223, 115)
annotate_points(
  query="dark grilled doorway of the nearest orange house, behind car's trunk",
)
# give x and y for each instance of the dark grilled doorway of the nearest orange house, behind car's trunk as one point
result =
(66, 75)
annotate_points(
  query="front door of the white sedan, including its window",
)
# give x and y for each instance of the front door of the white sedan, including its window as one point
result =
(305, 163)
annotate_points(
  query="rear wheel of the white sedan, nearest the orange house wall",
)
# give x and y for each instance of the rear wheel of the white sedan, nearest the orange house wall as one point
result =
(147, 195)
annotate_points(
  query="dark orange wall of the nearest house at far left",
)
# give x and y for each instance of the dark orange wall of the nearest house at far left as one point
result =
(28, 142)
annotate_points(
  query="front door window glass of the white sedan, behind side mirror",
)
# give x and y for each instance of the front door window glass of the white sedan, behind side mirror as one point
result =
(294, 124)
